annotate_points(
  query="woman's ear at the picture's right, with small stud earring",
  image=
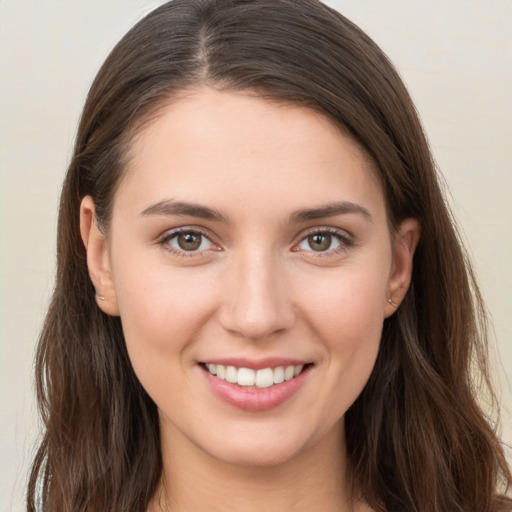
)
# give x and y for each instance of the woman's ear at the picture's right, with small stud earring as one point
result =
(406, 239)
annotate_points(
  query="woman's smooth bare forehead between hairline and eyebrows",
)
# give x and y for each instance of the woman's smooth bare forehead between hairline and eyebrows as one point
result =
(210, 144)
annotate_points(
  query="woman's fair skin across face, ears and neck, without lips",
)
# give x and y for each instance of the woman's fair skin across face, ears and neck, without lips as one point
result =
(254, 289)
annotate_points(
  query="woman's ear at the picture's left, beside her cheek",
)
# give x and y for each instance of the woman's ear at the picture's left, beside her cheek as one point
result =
(98, 258)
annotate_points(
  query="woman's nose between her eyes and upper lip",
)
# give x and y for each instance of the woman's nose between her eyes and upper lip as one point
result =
(257, 301)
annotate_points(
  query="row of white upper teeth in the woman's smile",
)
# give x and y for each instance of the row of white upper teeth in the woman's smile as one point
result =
(247, 377)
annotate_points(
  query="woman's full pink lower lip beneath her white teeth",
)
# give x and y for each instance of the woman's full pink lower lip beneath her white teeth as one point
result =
(256, 399)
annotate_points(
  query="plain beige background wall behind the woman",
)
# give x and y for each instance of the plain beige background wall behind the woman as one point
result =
(454, 55)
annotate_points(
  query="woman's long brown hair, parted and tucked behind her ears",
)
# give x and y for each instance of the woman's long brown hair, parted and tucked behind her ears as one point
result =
(416, 437)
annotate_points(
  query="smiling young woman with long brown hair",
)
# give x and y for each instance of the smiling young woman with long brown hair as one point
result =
(261, 299)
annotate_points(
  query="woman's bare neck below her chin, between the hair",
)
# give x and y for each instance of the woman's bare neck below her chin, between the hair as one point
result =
(316, 479)
